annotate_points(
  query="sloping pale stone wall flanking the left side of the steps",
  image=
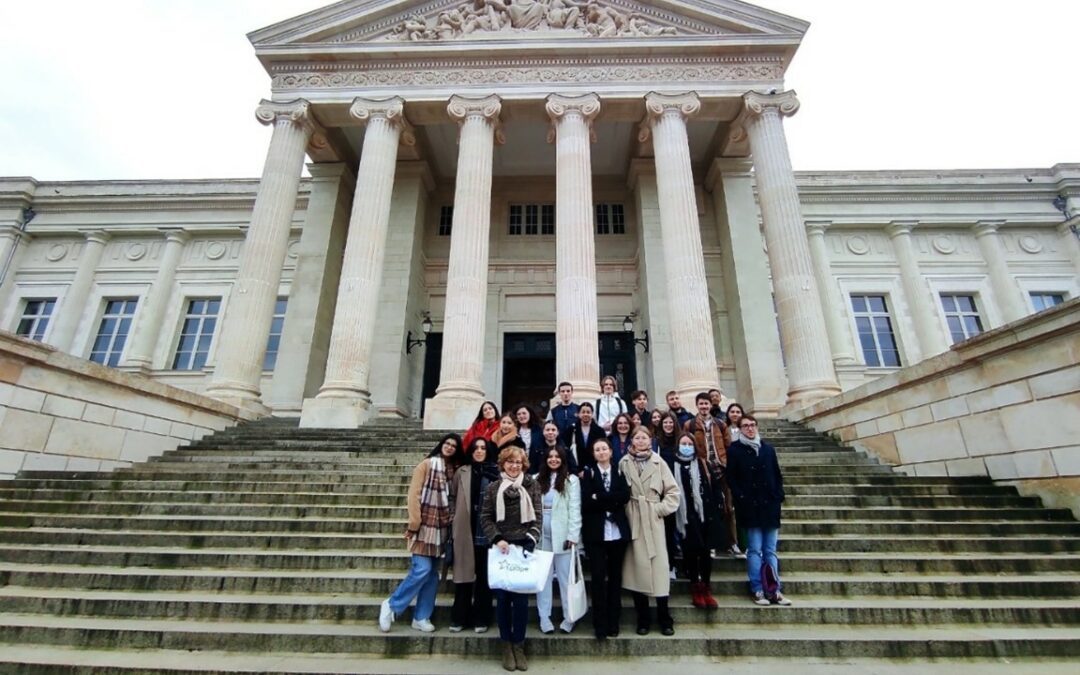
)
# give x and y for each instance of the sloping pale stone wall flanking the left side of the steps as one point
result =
(59, 413)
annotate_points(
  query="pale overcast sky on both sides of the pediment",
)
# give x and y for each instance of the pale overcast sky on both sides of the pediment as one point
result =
(167, 89)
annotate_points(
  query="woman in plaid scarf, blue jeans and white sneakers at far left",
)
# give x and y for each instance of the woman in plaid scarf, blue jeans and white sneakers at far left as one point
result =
(427, 534)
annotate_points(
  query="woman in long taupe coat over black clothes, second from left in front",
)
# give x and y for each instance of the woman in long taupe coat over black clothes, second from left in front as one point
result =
(472, 598)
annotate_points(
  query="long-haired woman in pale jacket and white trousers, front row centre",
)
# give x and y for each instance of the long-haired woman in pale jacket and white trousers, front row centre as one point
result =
(562, 531)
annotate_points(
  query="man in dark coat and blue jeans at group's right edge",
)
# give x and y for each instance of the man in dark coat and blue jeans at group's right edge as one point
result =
(758, 490)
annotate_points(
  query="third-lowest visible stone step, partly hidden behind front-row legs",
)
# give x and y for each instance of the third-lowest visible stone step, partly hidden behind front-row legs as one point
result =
(366, 610)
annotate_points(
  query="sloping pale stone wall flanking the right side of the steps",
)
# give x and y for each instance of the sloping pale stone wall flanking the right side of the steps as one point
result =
(1005, 406)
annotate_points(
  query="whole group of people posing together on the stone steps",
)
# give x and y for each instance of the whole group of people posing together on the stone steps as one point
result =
(634, 490)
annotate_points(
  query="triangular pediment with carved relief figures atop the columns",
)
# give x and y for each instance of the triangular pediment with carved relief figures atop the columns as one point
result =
(445, 22)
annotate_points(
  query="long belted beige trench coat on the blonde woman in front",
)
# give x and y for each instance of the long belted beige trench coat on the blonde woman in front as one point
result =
(654, 495)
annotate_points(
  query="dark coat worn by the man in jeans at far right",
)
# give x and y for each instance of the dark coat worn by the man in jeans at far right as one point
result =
(758, 487)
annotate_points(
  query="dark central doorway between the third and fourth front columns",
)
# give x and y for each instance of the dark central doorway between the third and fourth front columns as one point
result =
(529, 371)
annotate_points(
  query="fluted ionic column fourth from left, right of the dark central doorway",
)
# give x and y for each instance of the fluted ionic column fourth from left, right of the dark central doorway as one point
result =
(576, 327)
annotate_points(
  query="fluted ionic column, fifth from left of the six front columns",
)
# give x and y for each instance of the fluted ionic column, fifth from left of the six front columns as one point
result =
(692, 329)
